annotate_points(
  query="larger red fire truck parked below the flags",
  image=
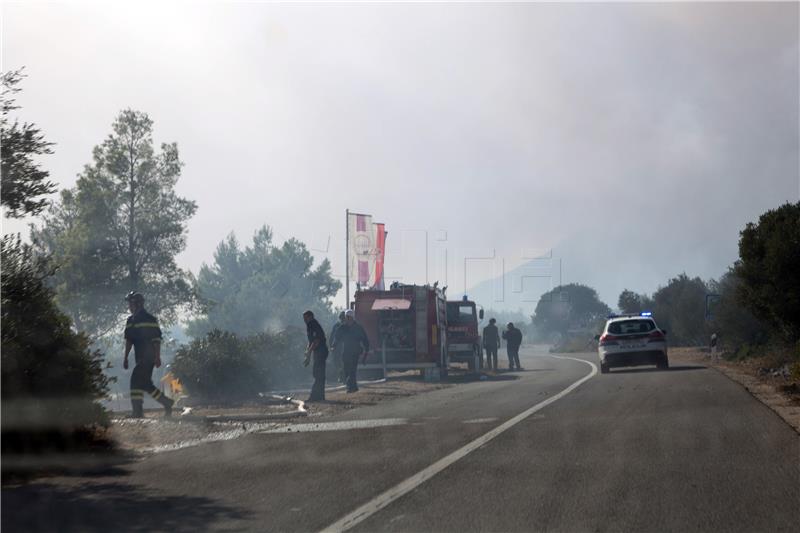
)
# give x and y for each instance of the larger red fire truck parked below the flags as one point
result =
(406, 326)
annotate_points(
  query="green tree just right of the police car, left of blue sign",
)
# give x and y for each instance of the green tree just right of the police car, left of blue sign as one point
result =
(679, 307)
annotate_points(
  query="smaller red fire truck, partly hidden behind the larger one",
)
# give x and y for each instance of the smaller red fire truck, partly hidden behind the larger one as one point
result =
(463, 337)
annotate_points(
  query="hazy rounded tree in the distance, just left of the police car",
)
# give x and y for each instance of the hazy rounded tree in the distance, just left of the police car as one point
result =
(572, 306)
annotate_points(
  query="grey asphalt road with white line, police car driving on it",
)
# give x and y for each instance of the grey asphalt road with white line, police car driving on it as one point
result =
(638, 450)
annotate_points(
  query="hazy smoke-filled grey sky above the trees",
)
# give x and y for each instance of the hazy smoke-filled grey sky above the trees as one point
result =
(634, 140)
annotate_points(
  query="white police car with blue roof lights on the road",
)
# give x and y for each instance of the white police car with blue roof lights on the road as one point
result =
(632, 340)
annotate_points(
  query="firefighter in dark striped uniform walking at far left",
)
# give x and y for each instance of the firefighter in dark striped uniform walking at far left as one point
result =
(144, 336)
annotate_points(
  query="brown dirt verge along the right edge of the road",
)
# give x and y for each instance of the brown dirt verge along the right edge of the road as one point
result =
(779, 393)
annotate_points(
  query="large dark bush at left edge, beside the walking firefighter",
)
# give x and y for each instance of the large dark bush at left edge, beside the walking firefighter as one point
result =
(51, 379)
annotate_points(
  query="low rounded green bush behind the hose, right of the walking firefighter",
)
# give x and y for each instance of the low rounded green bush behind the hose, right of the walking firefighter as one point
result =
(223, 367)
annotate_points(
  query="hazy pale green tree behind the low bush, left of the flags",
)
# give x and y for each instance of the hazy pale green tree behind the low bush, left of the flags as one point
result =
(262, 287)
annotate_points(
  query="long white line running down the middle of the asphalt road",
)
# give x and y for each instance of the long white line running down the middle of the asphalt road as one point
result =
(404, 487)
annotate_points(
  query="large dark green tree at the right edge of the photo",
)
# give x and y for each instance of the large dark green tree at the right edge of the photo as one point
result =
(769, 269)
